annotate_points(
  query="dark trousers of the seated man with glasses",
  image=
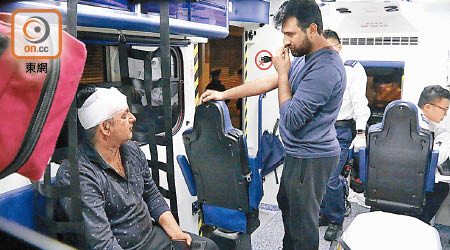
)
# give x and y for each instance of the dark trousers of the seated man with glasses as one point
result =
(434, 201)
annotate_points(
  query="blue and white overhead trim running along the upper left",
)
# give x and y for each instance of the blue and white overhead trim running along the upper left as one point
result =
(97, 17)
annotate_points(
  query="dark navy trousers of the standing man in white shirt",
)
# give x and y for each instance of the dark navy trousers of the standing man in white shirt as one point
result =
(333, 203)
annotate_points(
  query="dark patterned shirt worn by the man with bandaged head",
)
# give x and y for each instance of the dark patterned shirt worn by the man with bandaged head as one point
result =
(117, 211)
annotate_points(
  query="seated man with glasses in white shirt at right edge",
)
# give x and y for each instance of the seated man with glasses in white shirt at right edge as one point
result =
(434, 103)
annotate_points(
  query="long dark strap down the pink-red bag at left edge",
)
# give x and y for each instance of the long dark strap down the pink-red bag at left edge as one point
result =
(38, 119)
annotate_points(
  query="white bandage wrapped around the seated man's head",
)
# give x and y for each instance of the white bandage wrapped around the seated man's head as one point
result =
(102, 105)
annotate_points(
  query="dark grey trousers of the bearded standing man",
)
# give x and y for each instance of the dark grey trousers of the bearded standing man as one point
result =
(301, 190)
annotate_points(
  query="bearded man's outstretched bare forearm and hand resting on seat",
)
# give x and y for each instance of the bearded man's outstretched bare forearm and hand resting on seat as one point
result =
(256, 87)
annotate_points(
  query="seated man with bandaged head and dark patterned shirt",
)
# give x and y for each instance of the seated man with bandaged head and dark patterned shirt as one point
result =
(119, 198)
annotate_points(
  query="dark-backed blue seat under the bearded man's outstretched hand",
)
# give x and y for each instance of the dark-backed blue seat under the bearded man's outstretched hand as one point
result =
(227, 183)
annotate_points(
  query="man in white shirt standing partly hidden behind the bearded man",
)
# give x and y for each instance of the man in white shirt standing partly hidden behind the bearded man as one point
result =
(354, 108)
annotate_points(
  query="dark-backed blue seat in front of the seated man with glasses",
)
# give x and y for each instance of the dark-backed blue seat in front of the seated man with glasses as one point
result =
(398, 157)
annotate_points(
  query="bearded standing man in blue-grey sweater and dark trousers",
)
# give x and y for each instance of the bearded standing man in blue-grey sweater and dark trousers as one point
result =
(310, 91)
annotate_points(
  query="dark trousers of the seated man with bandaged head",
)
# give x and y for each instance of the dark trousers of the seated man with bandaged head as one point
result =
(159, 240)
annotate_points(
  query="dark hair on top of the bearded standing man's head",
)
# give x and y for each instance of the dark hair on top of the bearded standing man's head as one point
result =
(307, 12)
